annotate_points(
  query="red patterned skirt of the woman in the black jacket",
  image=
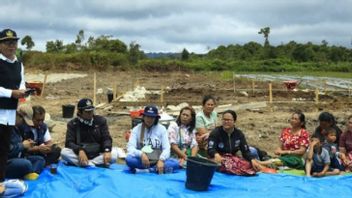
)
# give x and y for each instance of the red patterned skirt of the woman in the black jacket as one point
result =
(235, 165)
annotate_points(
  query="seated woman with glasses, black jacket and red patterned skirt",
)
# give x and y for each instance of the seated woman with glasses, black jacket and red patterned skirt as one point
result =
(223, 144)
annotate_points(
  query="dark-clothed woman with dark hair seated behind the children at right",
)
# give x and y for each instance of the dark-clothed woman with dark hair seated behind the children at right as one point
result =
(326, 120)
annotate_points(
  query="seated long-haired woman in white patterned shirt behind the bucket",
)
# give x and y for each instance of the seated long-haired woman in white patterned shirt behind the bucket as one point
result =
(182, 135)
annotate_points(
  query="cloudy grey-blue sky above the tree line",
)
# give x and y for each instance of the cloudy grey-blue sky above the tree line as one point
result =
(171, 25)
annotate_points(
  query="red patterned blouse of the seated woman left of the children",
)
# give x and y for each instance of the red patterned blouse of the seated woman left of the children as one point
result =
(294, 142)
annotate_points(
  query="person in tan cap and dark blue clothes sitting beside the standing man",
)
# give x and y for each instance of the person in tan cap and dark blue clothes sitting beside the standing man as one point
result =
(18, 166)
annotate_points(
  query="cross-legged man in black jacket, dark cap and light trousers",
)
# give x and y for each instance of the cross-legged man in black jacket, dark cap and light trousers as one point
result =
(88, 141)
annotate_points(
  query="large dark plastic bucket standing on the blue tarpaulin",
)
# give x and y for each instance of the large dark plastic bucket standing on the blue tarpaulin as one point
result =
(199, 173)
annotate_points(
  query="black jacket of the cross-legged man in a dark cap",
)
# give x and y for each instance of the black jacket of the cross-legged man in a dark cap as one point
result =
(97, 133)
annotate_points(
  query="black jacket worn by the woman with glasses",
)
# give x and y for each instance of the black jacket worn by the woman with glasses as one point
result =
(220, 142)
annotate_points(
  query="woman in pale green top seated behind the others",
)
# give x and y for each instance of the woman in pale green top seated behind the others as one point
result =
(205, 123)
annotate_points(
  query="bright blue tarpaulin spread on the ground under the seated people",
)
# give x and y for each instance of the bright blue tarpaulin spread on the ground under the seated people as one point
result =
(118, 182)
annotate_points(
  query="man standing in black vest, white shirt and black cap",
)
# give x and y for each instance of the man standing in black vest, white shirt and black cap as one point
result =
(12, 86)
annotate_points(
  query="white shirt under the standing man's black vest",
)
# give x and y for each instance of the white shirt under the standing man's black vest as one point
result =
(8, 116)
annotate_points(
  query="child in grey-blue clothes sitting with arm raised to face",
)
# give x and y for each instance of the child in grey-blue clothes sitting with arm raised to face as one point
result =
(318, 161)
